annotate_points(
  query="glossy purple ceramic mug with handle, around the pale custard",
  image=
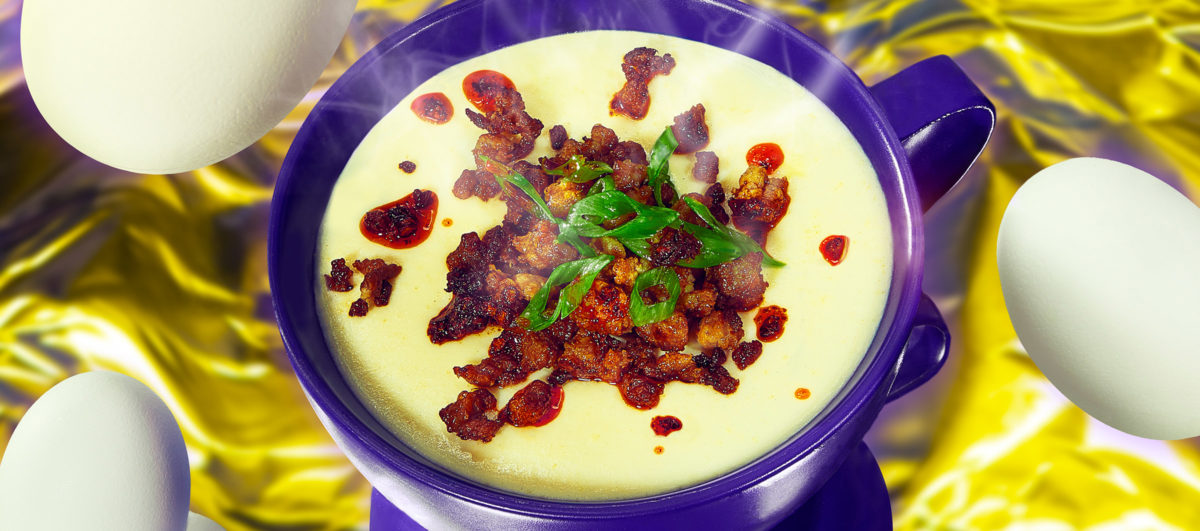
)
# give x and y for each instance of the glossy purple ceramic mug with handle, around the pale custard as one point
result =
(921, 130)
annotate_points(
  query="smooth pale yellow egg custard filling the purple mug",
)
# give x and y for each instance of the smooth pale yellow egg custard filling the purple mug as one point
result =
(835, 243)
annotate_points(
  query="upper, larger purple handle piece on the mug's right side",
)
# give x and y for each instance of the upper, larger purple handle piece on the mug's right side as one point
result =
(941, 118)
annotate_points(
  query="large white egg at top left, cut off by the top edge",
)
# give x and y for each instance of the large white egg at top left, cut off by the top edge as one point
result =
(165, 87)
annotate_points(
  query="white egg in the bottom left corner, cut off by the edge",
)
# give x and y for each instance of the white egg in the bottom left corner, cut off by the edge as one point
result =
(100, 451)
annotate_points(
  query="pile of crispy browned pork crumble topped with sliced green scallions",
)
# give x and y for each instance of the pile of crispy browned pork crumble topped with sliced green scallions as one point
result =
(496, 278)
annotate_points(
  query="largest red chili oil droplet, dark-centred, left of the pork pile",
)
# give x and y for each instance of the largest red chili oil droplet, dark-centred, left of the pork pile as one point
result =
(401, 224)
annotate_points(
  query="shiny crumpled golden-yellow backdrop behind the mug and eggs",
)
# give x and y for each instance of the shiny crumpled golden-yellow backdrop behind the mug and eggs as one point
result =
(164, 277)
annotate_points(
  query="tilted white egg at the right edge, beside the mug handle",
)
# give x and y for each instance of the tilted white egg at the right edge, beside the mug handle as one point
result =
(1100, 265)
